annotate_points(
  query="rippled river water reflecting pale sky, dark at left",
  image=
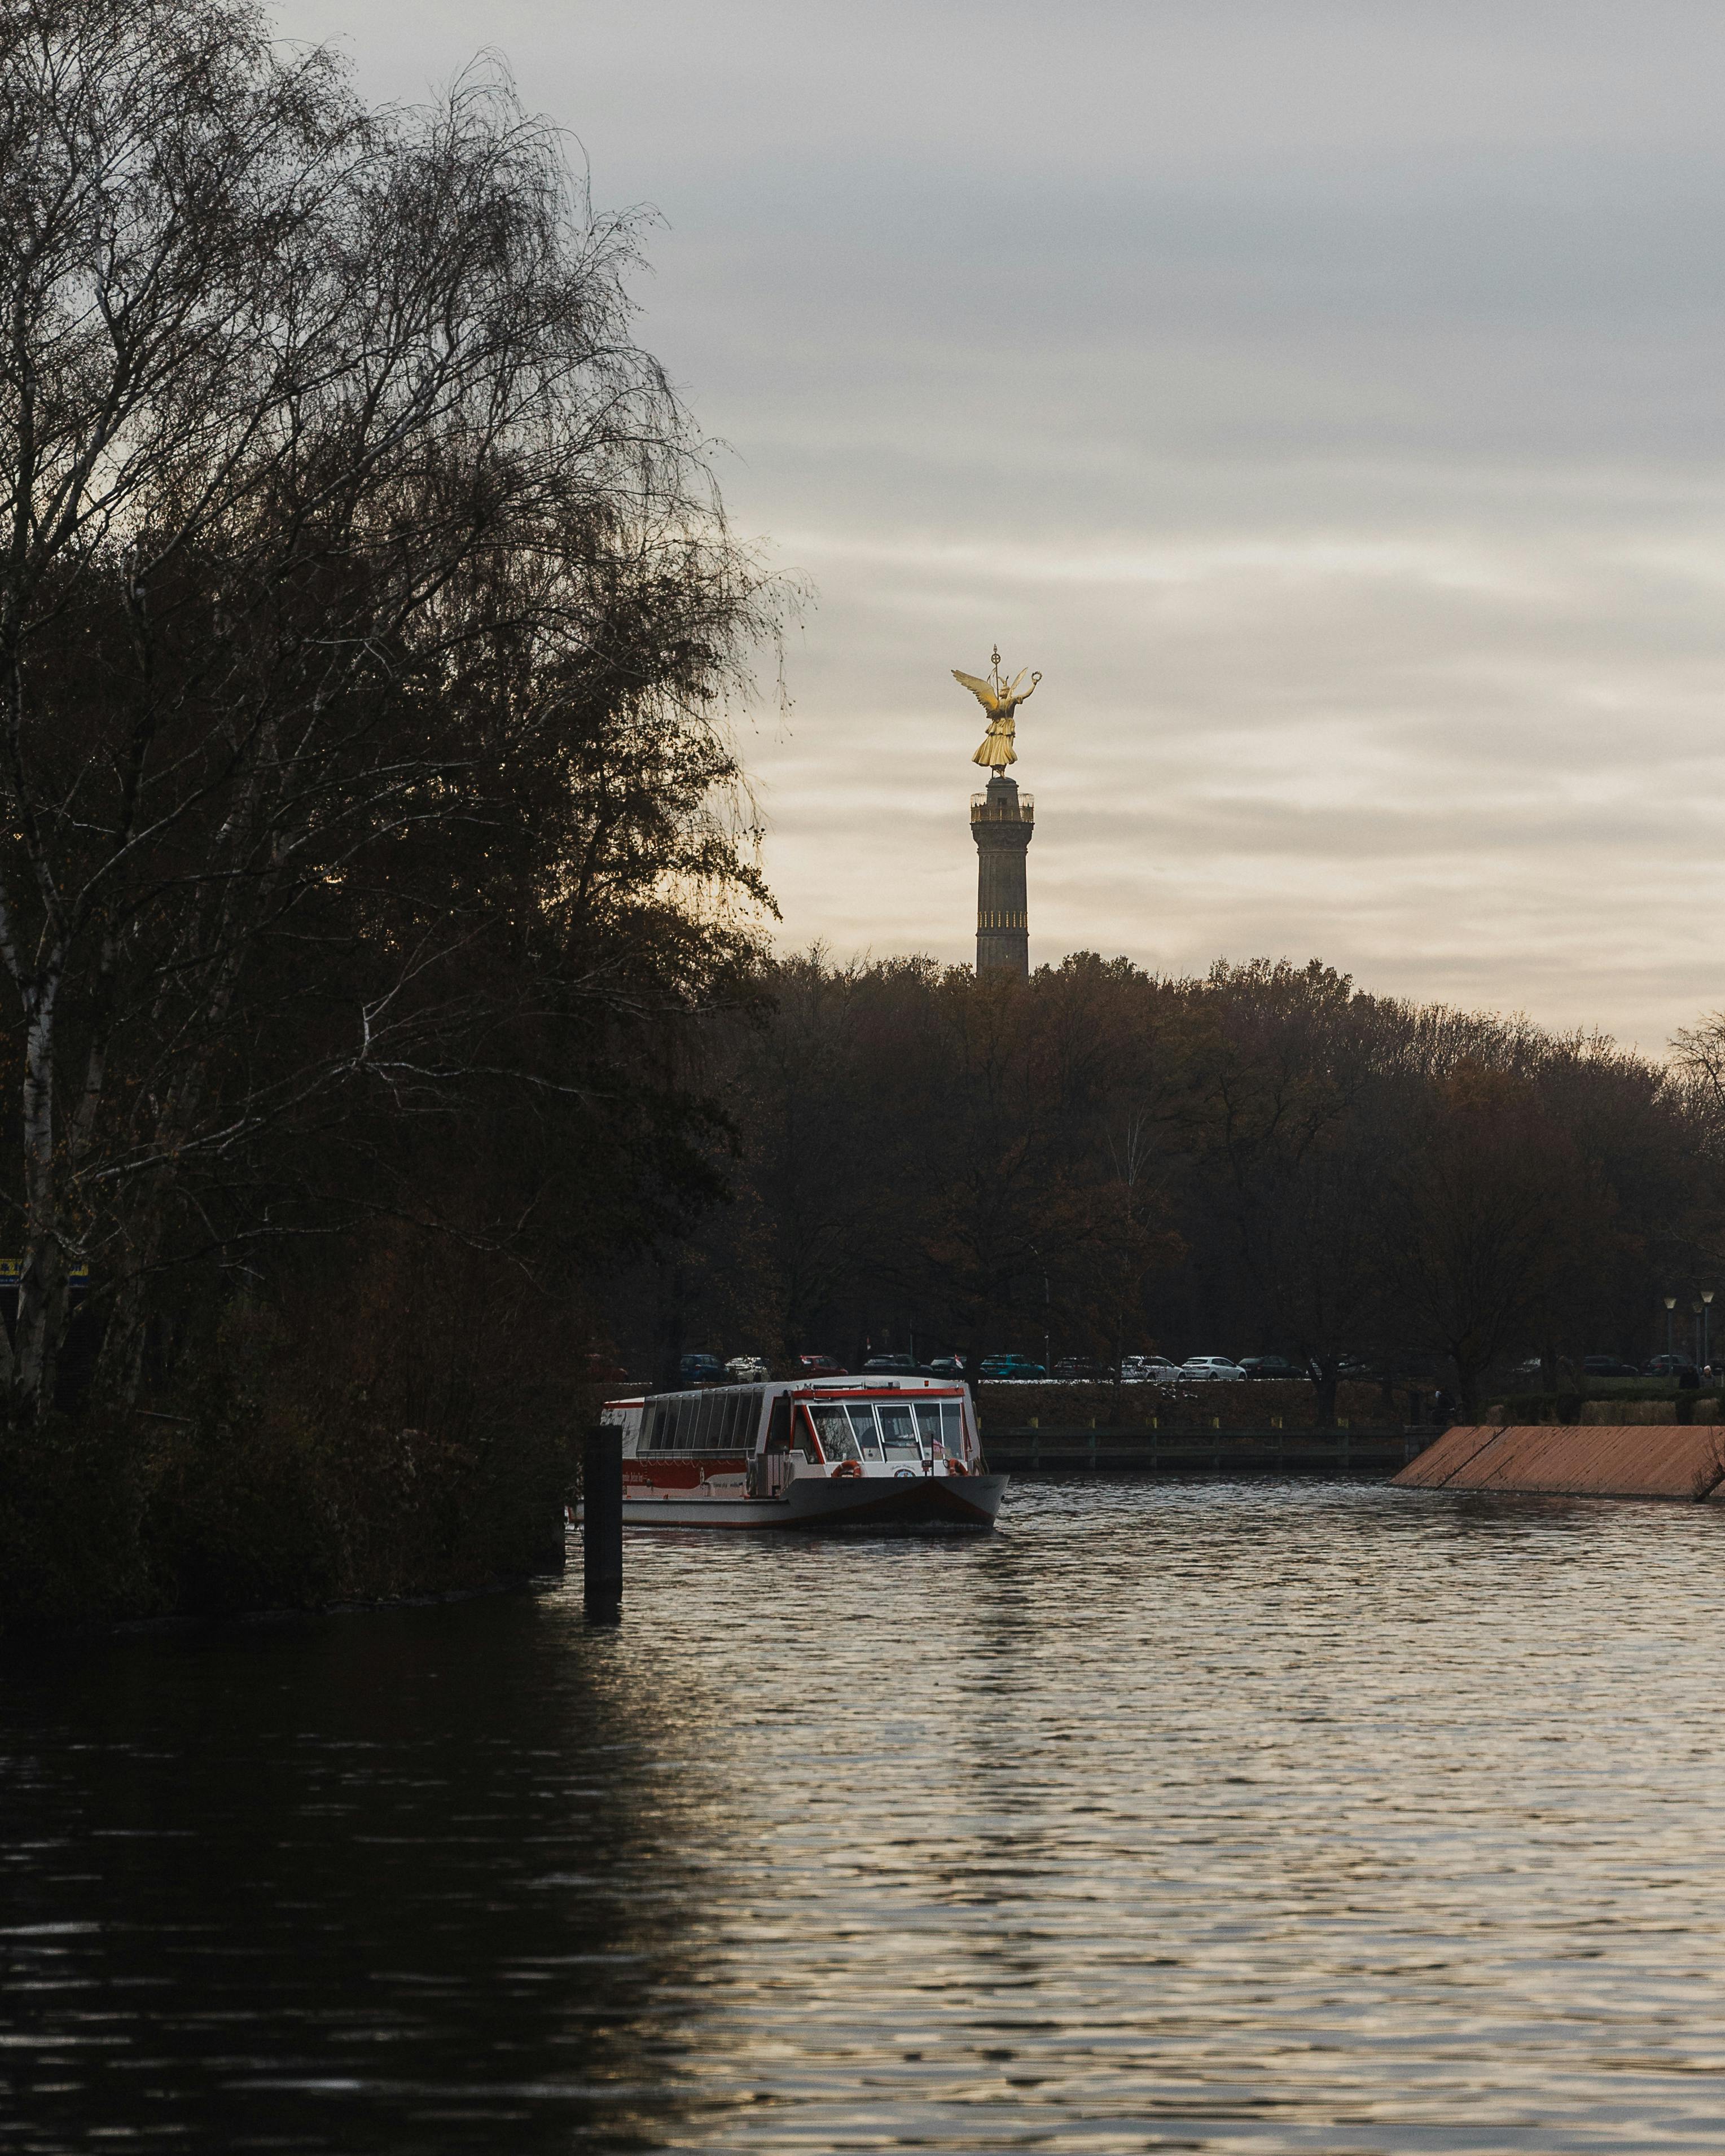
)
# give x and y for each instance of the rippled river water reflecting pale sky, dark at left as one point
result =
(1168, 1819)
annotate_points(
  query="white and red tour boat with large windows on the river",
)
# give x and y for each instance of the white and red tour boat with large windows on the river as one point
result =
(816, 1452)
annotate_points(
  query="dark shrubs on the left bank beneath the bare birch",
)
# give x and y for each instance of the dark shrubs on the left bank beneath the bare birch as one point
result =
(305, 1465)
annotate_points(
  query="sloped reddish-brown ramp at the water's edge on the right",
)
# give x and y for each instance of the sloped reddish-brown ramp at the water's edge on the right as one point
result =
(1575, 1461)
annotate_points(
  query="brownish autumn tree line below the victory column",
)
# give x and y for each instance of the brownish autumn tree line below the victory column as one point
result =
(1258, 1161)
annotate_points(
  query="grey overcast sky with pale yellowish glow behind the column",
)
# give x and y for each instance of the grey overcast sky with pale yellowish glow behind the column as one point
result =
(1327, 396)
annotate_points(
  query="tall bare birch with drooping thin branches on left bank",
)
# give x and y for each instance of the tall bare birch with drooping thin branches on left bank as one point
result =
(359, 590)
